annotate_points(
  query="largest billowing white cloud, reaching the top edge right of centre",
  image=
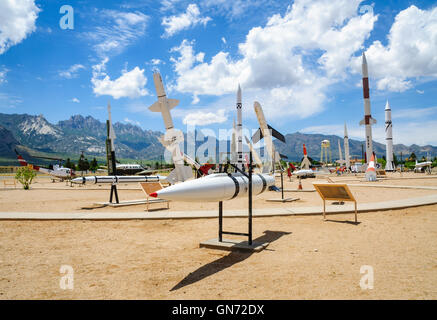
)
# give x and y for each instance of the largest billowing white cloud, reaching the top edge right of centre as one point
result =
(274, 58)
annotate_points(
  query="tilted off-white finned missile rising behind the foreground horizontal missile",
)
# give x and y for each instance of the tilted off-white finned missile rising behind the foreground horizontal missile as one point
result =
(172, 137)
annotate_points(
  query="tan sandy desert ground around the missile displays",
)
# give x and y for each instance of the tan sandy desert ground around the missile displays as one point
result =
(307, 258)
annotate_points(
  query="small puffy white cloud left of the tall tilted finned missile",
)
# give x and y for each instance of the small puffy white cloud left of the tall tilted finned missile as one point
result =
(130, 84)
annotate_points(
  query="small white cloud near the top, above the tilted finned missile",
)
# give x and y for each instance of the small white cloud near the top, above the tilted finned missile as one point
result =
(190, 18)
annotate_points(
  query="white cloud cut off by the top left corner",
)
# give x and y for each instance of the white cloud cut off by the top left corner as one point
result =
(17, 21)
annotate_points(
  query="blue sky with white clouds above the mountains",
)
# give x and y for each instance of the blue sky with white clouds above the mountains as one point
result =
(300, 59)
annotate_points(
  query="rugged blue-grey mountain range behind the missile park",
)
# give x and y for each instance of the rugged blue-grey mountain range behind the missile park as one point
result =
(32, 134)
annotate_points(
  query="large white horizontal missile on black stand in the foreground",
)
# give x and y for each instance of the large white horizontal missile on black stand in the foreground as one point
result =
(215, 187)
